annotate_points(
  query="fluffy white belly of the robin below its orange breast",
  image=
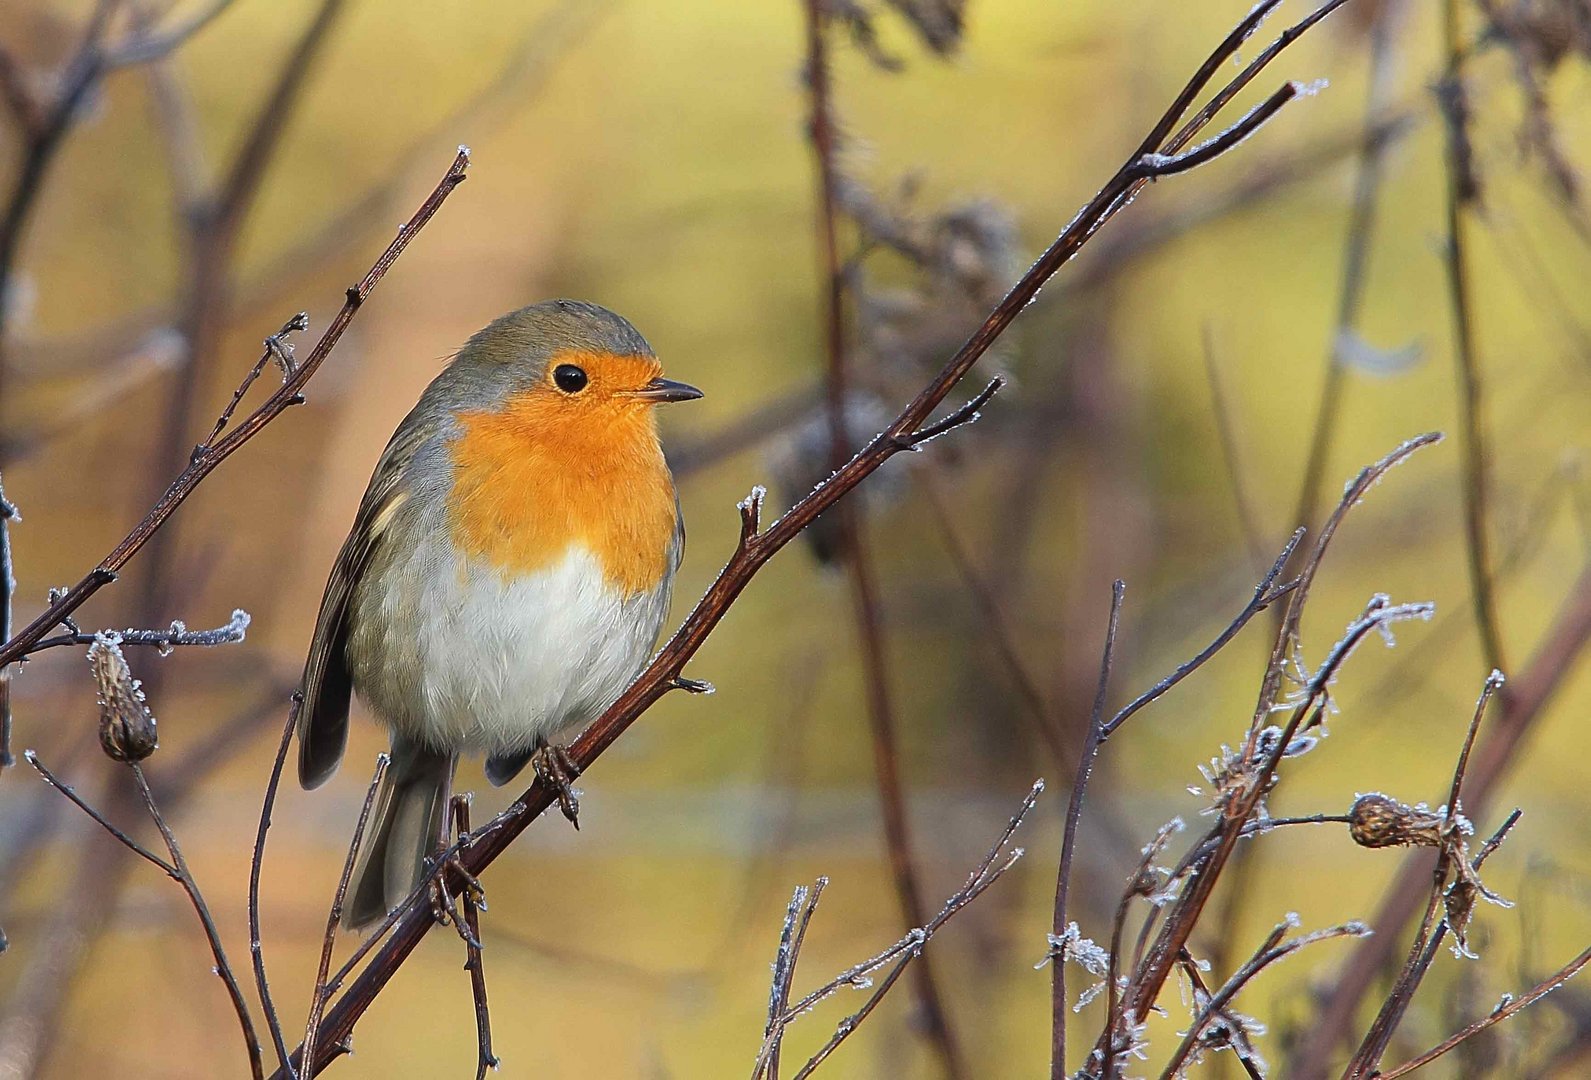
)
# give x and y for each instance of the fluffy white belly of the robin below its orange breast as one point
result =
(497, 662)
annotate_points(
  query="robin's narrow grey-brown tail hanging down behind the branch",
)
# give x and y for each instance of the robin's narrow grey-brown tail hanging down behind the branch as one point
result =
(405, 831)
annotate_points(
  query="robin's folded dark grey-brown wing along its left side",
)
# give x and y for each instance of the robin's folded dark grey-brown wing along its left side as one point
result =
(327, 686)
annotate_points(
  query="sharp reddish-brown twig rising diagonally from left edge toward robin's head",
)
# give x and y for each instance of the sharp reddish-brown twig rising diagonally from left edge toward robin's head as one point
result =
(206, 460)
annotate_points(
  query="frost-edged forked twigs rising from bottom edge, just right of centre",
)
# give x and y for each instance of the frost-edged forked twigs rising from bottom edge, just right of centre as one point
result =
(898, 957)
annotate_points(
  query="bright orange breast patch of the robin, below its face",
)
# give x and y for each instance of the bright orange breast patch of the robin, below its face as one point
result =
(539, 478)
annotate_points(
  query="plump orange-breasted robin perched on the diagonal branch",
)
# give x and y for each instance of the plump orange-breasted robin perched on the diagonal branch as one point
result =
(507, 577)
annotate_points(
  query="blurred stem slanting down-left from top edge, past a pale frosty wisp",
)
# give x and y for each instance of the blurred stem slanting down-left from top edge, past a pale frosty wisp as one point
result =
(1356, 257)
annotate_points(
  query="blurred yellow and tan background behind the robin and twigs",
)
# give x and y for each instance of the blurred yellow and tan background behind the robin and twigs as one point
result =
(653, 158)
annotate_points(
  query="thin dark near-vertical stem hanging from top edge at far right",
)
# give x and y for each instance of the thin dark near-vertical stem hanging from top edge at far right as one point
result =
(1463, 195)
